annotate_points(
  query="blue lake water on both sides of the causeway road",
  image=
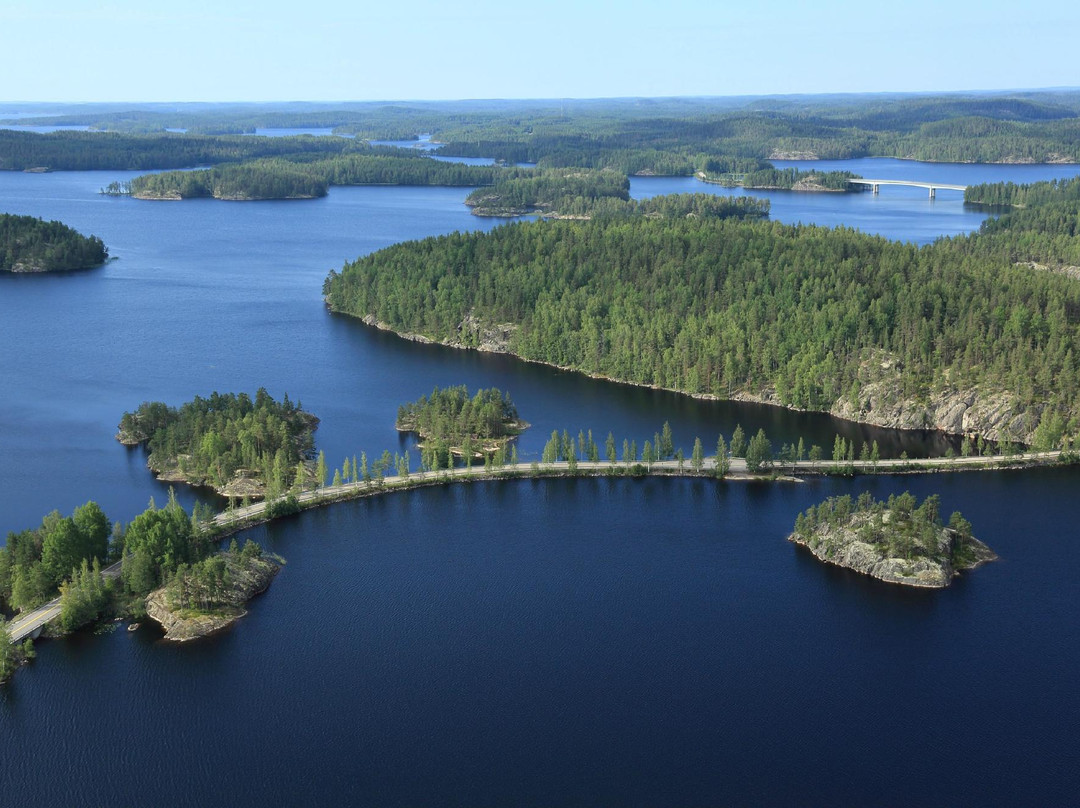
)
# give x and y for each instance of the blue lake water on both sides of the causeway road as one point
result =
(539, 643)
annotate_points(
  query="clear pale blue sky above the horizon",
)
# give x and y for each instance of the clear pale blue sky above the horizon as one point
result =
(356, 50)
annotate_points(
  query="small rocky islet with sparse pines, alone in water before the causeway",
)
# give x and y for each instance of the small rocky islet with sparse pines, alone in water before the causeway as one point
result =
(899, 542)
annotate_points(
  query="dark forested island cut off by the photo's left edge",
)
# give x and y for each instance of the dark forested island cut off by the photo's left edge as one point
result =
(30, 245)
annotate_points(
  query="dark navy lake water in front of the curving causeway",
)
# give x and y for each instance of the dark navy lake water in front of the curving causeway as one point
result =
(586, 643)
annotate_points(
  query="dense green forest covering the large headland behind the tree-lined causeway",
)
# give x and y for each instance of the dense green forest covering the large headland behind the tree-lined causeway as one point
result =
(801, 316)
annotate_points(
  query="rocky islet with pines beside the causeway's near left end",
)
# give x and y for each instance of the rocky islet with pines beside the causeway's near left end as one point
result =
(210, 596)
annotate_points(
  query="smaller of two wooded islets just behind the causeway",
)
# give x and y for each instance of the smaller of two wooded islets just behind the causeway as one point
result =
(452, 424)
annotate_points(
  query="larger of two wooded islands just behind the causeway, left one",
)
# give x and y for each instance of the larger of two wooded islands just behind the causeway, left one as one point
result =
(239, 447)
